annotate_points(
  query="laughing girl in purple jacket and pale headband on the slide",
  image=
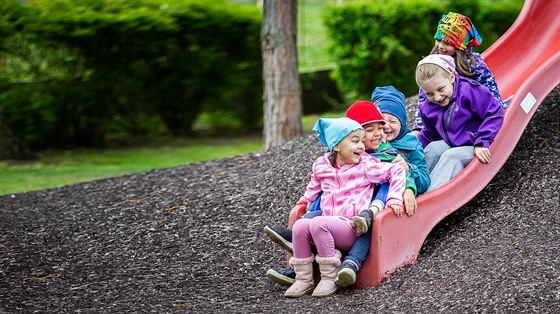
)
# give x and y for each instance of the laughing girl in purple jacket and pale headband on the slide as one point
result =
(461, 118)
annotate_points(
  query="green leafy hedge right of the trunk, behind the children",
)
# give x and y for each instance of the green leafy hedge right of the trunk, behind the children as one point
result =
(380, 43)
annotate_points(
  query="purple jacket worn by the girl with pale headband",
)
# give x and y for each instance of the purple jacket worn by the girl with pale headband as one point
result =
(472, 118)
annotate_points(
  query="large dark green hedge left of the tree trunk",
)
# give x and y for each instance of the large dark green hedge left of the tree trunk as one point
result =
(85, 69)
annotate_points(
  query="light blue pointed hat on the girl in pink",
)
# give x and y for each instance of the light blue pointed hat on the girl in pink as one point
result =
(331, 131)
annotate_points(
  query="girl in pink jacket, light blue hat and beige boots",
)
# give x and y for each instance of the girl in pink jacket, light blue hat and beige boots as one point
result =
(346, 175)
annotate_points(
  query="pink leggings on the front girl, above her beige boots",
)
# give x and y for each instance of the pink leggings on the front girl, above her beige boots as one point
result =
(328, 233)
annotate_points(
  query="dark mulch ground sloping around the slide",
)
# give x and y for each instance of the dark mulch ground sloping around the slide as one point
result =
(190, 238)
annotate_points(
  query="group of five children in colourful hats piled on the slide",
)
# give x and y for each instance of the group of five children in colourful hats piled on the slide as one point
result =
(375, 162)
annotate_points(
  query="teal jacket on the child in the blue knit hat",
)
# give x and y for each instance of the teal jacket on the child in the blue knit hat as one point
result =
(411, 149)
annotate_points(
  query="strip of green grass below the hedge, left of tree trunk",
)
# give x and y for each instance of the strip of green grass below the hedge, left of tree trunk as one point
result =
(58, 168)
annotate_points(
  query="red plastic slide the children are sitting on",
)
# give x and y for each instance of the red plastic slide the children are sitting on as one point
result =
(526, 64)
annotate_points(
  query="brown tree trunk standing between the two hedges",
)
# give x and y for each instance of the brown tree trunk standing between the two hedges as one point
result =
(282, 90)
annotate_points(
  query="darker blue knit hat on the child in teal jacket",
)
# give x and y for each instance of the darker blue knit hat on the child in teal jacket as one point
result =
(389, 100)
